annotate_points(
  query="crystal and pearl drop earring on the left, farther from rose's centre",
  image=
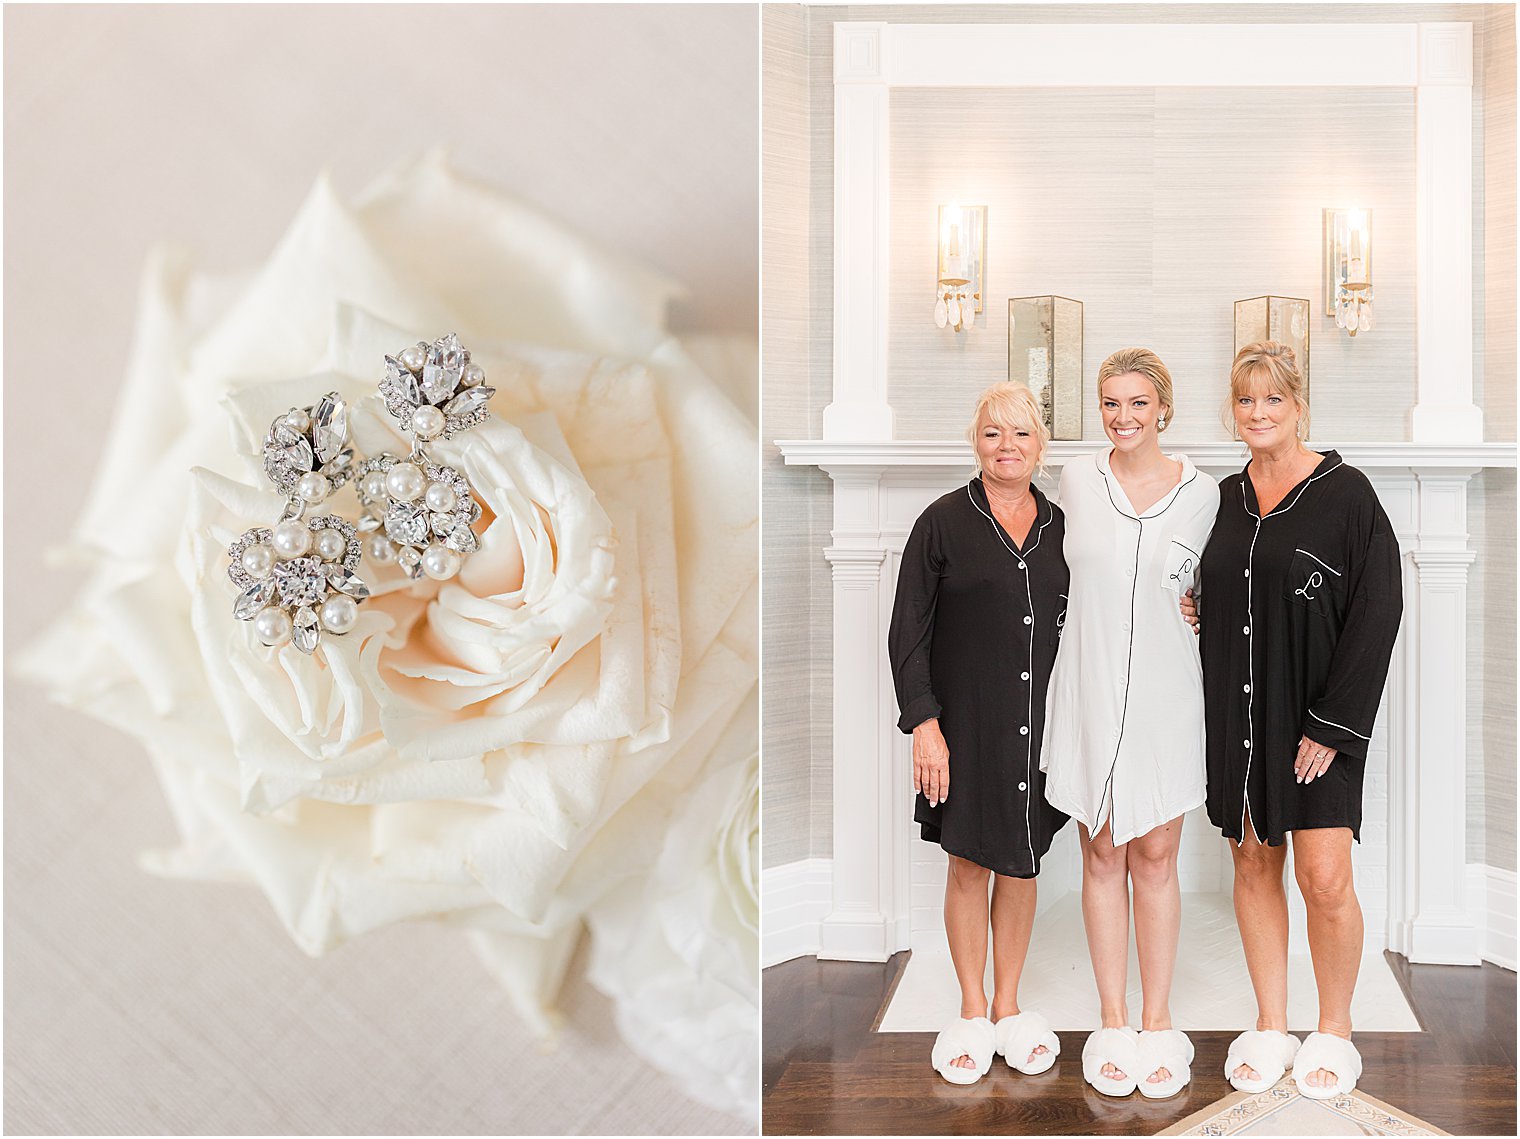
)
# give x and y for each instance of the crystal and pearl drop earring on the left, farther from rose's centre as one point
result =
(299, 579)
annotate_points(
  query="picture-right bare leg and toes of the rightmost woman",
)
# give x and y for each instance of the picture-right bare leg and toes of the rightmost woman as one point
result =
(1323, 868)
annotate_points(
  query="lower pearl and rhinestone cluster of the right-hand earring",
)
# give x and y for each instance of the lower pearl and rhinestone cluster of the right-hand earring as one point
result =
(417, 513)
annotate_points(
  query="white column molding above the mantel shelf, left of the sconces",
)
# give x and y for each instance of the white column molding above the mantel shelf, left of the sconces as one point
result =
(860, 408)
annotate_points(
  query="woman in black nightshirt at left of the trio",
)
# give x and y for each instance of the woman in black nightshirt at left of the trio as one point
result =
(981, 597)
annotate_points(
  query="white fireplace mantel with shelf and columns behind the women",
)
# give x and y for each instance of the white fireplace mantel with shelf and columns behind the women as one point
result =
(1411, 865)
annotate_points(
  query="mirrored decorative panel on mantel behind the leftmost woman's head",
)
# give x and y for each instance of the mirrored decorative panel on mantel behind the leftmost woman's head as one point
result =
(1045, 352)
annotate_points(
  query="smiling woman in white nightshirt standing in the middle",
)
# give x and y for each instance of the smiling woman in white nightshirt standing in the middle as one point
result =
(1126, 729)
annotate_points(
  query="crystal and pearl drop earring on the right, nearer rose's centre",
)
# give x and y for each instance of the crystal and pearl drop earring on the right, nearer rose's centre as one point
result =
(416, 512)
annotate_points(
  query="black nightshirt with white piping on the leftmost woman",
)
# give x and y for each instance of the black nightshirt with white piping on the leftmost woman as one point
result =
(974, 638)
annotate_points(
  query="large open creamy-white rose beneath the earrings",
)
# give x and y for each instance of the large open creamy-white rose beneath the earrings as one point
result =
(470, 752)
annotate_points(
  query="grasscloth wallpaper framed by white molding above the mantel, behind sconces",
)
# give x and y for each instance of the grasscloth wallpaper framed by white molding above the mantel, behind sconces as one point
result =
(1157, 209)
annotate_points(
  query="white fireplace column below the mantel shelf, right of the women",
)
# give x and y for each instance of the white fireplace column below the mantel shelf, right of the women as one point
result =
(1440, 927)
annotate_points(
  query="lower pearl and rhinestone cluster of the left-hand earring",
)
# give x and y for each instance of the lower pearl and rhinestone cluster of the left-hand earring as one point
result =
(299, 580)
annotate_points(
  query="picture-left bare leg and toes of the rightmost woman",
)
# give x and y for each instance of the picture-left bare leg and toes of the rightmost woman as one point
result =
(1262, 916)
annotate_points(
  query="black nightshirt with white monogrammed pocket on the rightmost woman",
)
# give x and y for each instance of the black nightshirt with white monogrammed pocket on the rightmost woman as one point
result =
(1300, 612)
